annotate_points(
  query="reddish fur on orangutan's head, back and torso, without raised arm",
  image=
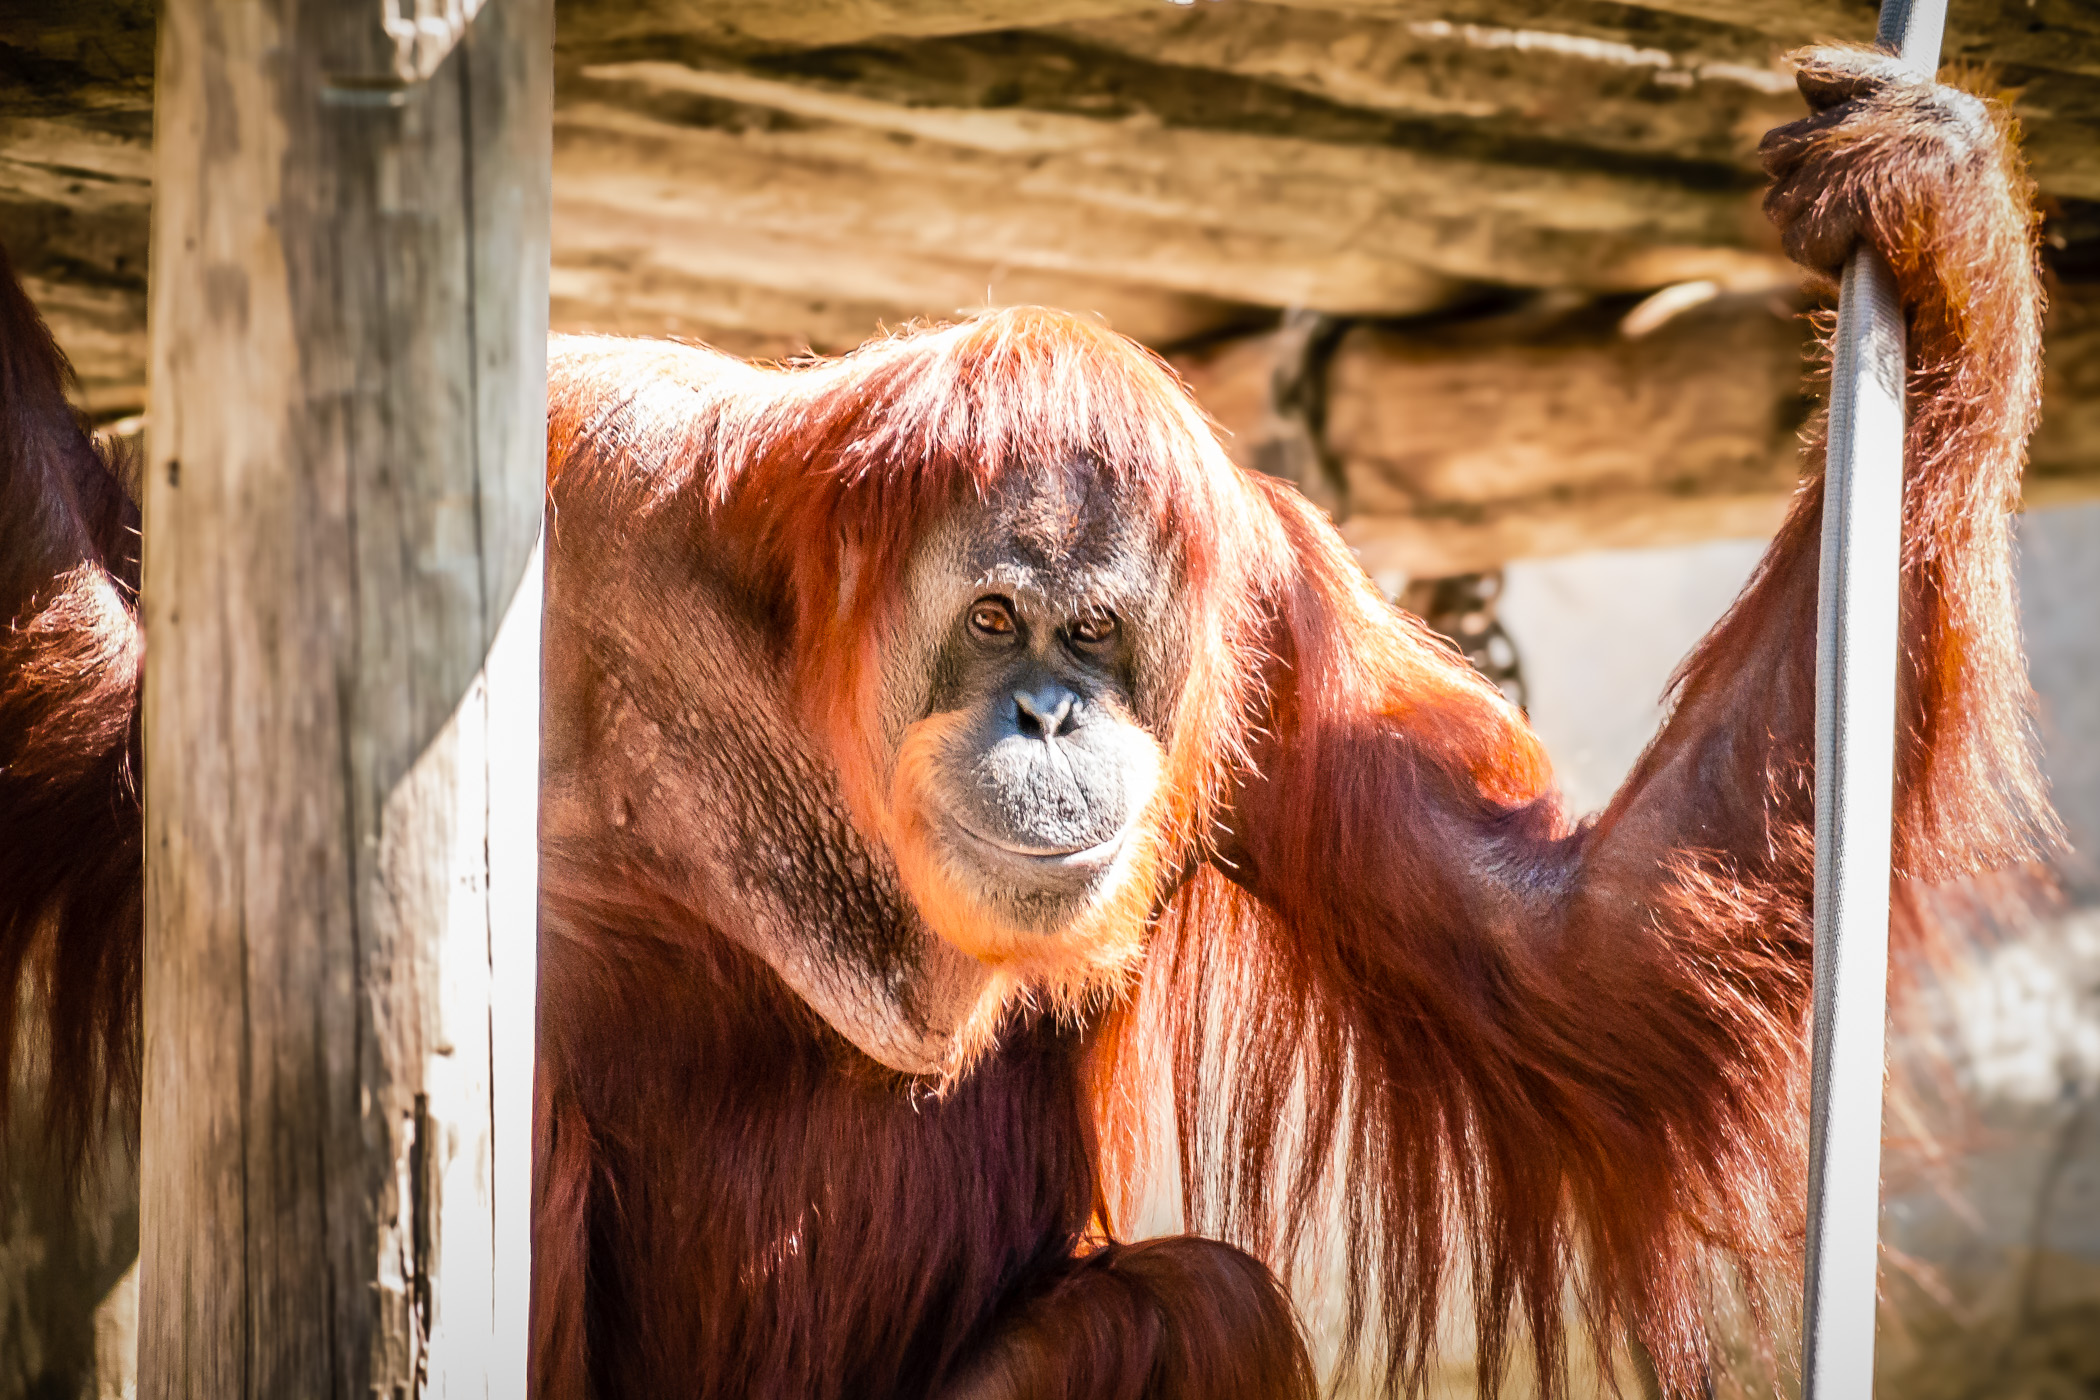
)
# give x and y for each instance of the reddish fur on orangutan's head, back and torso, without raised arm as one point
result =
(923, 1292)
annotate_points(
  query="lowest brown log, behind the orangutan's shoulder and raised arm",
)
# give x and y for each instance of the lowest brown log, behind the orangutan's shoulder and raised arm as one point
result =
(1465, 446)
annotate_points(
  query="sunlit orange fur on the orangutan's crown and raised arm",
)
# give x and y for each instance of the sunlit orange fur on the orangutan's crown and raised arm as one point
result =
(1540, 1057)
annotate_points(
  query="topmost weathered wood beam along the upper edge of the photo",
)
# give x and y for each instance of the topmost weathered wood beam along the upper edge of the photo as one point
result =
(1383, 54)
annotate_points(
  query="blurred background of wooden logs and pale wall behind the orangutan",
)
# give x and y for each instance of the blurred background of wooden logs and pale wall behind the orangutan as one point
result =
(1484, 278)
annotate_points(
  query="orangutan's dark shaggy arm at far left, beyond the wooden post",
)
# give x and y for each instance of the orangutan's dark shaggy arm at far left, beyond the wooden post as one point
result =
(70, 666)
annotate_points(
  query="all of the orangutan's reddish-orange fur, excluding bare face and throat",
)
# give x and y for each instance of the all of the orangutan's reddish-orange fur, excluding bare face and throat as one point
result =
(1391, 983)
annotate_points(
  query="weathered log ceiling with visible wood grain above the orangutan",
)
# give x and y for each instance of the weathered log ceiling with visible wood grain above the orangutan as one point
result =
(782, 177)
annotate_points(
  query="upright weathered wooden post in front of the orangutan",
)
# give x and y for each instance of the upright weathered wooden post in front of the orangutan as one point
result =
(341, 723)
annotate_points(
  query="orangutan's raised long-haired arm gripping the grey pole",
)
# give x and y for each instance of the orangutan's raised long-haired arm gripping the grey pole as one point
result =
(1582, 1051)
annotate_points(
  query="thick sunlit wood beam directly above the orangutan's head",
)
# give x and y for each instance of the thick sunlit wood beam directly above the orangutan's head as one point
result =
(831, 192)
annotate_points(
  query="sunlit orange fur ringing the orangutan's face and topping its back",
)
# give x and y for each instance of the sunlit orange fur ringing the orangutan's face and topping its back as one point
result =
(858, 461)
